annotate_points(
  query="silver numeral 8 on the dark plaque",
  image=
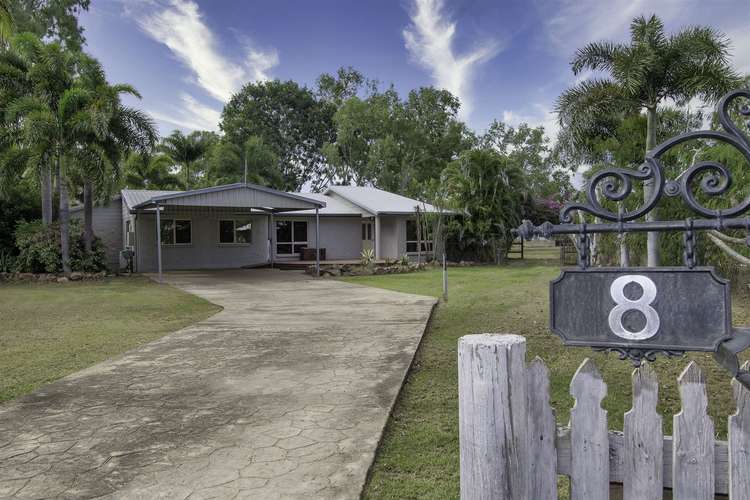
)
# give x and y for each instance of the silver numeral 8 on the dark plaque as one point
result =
(624, 304)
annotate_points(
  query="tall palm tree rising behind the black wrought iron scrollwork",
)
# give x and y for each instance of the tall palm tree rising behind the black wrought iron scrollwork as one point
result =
(652, 68)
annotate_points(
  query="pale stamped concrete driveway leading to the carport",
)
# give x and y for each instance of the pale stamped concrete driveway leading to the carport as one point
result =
(283, 394)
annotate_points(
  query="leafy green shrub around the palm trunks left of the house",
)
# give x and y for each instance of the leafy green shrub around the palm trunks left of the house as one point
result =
(39, 249)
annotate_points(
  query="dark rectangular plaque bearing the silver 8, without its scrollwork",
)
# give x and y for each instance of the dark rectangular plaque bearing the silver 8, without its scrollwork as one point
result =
(650, 309)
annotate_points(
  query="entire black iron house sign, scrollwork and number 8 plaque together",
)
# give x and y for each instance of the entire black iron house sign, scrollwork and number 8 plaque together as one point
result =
(640, 313)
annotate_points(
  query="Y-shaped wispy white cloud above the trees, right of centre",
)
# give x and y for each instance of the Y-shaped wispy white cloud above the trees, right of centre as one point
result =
(430, 41)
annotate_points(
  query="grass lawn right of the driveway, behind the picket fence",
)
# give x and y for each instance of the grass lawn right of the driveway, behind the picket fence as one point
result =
(418, 457)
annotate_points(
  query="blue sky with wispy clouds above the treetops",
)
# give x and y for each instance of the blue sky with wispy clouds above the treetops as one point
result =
(506, 60)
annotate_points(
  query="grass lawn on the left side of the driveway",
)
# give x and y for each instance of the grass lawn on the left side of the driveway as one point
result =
(51, 330)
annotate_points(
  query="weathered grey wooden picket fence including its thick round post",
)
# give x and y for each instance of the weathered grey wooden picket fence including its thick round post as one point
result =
(512, 448)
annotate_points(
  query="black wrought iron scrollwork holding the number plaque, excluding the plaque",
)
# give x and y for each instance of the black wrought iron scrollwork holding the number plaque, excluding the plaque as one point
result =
(710, 178)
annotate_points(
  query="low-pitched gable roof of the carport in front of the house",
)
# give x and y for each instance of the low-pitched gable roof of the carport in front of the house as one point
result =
(238, 195)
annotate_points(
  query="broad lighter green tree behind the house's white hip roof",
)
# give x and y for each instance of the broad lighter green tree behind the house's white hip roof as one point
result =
(395, 144)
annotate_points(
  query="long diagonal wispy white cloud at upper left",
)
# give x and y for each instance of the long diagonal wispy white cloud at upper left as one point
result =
(180, 25)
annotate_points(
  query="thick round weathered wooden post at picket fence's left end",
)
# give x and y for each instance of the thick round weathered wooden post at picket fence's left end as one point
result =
(492, 417)
